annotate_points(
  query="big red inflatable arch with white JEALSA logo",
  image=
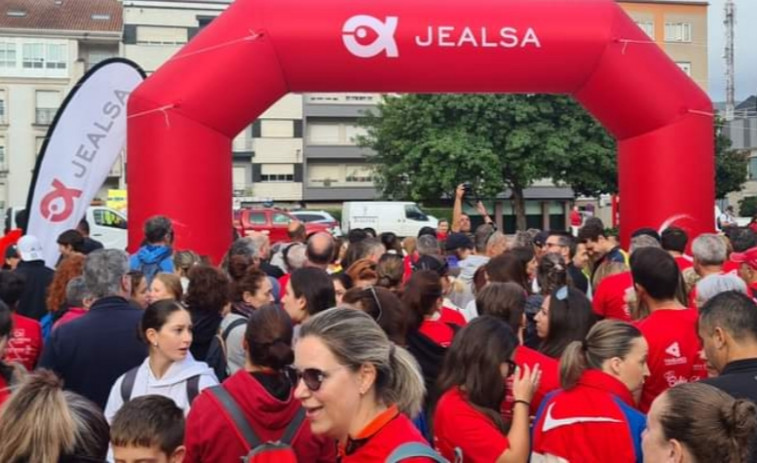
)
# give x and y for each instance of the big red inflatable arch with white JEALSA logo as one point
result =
(183, 118)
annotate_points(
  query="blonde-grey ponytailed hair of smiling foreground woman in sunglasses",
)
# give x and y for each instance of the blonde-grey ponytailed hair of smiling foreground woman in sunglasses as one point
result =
(355, 339)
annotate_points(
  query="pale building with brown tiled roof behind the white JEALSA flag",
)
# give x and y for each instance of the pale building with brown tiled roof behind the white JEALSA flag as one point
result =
(45, 47)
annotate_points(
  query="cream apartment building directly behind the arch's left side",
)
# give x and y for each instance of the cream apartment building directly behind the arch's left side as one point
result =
(267, 155)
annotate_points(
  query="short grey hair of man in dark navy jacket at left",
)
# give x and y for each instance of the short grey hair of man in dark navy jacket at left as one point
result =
(104, 270)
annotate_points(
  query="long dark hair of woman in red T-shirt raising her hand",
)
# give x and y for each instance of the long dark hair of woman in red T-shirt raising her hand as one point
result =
(473, 362)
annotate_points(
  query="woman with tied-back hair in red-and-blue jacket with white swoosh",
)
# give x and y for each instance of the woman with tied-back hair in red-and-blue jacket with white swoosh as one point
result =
(593, 418)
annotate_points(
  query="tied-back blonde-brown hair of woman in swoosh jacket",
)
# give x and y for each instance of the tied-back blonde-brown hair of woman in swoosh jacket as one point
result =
(605, 340)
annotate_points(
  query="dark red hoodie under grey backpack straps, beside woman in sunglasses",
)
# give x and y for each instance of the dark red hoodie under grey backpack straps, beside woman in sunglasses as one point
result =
(211, 436)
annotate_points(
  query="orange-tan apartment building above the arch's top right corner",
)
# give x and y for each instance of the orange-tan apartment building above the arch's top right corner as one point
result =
(677, 26)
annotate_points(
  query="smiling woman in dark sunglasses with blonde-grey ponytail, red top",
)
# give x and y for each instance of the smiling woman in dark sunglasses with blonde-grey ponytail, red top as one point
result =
(357, 387)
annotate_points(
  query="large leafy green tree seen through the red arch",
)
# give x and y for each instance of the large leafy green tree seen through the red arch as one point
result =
(427, 144)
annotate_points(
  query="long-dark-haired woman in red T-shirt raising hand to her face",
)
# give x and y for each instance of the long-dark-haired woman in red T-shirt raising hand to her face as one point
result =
(468, 422)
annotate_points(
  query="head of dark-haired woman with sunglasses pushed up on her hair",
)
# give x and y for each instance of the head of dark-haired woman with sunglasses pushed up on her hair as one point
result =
(565, 316)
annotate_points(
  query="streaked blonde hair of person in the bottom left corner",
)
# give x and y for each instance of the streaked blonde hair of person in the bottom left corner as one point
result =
(42, 423)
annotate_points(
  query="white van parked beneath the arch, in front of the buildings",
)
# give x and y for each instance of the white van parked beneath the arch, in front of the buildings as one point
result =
(402, 218)
